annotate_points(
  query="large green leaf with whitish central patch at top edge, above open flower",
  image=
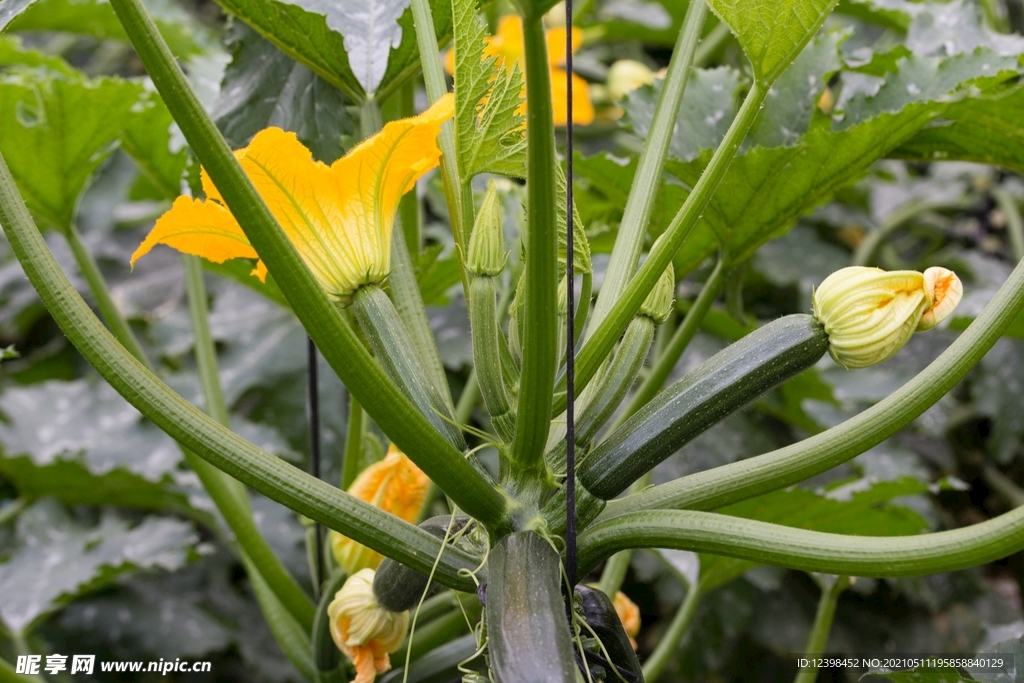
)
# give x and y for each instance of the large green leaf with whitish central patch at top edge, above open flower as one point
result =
(357, 47)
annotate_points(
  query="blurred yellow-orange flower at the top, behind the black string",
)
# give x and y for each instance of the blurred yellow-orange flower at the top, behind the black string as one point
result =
(507, 47)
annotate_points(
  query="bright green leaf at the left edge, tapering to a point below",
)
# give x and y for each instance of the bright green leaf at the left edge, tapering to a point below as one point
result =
(57, 134)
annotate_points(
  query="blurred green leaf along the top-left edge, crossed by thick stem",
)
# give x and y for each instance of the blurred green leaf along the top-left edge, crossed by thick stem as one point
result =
(96, 18)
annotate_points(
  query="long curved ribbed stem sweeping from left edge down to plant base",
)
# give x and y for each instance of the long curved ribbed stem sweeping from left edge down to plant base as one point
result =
(215, 443)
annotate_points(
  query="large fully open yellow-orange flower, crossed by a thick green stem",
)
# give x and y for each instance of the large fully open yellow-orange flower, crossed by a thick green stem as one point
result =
(339, 218)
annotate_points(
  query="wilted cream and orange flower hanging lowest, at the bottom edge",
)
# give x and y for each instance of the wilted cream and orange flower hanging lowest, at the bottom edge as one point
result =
(363, 630)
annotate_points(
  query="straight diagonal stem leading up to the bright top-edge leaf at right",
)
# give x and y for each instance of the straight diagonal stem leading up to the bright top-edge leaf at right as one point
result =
(609, 331)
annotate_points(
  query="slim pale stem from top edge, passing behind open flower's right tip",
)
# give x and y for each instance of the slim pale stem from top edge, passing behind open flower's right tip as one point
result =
(434, 79)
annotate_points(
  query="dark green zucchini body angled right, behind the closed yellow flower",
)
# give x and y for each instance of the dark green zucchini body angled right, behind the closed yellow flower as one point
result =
(727, 382)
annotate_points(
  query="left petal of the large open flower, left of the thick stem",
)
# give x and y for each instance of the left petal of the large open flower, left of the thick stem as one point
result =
(201, 229)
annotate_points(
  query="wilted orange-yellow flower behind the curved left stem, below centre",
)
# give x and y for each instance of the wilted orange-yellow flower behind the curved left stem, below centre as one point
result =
(395, 485)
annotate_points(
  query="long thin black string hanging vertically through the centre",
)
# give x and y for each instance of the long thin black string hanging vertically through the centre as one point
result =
(571, 551)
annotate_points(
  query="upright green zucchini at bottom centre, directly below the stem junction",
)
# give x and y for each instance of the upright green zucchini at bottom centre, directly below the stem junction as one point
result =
(528, 630)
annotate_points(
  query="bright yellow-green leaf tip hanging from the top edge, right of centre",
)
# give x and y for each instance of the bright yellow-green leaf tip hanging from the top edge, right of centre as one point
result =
(773, 32)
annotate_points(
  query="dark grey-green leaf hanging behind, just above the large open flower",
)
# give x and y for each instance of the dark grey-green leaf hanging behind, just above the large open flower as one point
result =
(264, 88)
